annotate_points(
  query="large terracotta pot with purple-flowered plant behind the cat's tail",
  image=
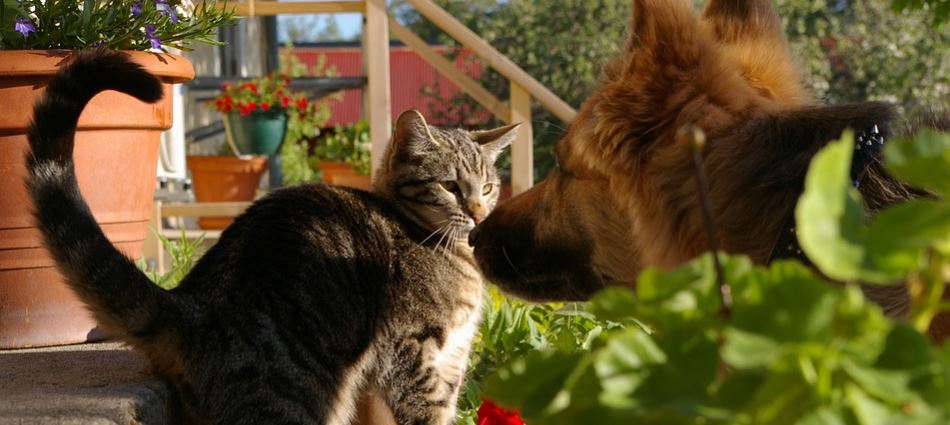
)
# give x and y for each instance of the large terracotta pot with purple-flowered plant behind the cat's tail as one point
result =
(116, 141)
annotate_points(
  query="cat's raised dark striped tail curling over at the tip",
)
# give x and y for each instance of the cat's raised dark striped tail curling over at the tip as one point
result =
(121, 297)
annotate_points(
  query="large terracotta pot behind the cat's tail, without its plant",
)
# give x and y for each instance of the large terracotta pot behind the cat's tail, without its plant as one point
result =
(116, 155)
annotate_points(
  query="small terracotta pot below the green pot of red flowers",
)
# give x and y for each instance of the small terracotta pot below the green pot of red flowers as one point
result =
(224, 179)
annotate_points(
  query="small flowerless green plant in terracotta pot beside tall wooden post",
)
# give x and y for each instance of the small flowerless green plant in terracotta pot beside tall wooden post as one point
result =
(343, 155)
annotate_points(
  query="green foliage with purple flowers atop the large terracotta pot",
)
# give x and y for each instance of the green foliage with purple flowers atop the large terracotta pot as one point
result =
(116, 24)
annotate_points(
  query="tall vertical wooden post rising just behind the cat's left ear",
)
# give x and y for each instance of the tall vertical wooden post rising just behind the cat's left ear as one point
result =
(377, 95)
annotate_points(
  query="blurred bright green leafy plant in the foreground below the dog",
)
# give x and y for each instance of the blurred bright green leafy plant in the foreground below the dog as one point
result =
(794, 348)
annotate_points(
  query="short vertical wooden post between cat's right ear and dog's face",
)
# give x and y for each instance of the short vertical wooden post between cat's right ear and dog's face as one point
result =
(522, 156)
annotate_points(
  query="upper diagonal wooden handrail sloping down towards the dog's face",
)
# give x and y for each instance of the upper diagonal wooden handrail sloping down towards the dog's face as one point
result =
(494, 58)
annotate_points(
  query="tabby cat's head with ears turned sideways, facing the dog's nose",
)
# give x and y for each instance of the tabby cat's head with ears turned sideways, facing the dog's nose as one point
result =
(443, 179)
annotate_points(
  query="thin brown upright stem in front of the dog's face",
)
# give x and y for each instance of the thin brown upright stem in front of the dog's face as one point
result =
(697, 141)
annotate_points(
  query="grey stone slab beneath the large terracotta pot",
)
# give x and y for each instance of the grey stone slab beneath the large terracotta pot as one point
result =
(80, 384)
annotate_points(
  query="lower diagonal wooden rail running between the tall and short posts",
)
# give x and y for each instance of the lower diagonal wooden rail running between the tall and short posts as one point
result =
(448, 69)
